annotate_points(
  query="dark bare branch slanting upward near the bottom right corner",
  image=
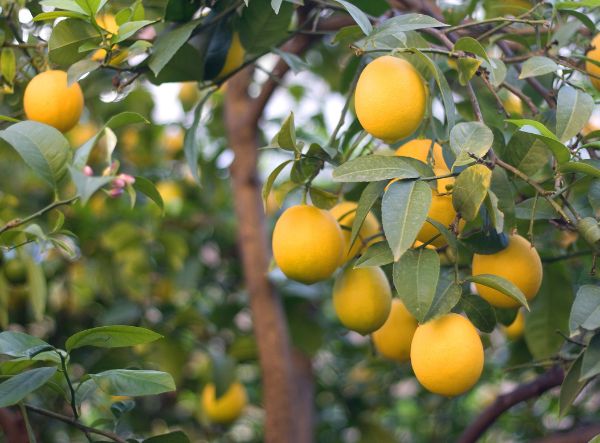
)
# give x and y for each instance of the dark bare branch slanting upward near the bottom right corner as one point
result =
(548, 380)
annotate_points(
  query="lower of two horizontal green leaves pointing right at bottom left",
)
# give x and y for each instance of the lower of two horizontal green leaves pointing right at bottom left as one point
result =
(134, 383)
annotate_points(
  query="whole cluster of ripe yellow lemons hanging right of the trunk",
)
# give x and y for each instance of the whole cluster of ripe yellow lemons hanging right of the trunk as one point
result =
(310, 244)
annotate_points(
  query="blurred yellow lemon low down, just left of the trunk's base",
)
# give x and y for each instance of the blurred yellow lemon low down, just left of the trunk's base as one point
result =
(226, 408)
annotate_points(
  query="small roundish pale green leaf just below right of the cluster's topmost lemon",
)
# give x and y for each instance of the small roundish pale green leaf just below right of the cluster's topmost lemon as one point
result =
(470, 138)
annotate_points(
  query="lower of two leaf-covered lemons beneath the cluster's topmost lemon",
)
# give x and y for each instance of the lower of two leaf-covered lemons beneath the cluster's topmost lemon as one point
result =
(441, 210)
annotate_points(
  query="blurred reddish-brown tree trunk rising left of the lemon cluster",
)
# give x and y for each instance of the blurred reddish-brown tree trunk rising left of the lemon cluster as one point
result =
(279, 389)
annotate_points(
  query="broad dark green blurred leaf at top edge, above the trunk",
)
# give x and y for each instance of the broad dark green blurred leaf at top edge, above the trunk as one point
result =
(261, 29)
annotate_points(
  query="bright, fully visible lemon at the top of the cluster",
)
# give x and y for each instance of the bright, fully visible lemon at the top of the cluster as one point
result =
(390, 98)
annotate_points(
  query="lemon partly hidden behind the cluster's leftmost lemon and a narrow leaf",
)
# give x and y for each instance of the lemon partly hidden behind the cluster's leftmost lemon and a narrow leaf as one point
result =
(345, 213)
